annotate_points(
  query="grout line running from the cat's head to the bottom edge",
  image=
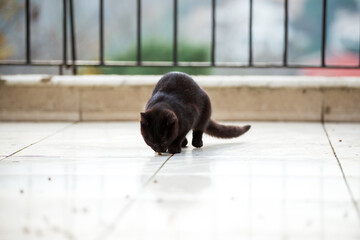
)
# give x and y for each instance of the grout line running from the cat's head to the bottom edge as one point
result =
(105, 233)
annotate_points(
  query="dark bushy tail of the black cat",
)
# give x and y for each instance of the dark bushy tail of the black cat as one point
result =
(225, 131)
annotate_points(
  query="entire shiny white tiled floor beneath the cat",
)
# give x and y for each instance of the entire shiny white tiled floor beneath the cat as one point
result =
(100, 181)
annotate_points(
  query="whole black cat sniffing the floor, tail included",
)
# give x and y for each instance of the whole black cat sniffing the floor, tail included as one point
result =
(176, 106)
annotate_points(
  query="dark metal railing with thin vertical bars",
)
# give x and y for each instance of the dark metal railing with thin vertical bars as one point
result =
(68, 11)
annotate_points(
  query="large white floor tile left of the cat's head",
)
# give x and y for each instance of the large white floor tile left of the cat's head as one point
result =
(76, 180)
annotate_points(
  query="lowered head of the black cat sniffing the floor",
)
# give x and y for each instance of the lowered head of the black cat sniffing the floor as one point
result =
(159, 128)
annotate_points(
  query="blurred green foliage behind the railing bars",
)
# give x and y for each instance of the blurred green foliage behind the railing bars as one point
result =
(156, 51)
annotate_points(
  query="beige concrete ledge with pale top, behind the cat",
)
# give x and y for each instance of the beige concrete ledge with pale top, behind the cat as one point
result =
(113, 97)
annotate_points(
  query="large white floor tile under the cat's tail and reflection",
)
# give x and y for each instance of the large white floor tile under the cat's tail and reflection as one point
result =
(279, 181)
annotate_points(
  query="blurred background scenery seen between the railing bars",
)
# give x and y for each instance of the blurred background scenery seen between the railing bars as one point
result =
(194, 34)
